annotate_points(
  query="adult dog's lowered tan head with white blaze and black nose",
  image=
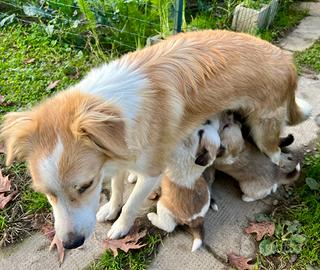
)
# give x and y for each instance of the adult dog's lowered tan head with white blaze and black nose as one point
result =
(66, 142)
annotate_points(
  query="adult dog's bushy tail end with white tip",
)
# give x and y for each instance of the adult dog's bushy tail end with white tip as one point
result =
(298, 110)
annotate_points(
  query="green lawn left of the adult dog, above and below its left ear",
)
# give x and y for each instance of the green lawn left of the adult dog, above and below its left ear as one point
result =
(31, 60)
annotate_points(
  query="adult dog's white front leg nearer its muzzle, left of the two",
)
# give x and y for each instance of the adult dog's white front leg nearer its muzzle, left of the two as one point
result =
(110, 210)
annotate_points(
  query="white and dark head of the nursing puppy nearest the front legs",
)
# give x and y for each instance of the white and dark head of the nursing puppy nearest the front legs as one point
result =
(209, 144)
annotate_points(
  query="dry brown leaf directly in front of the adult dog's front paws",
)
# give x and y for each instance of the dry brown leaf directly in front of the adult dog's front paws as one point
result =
(125, 244)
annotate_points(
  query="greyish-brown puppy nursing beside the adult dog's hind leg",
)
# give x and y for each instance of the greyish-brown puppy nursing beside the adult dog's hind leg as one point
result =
(257, 175)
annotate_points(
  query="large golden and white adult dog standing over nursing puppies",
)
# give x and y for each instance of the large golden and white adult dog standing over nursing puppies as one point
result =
(131, 113)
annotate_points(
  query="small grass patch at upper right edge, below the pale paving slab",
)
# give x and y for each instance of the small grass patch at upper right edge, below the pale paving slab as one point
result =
(309, 58)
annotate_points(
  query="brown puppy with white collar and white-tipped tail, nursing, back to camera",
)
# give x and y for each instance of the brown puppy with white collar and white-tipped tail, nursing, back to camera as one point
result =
(185, 195)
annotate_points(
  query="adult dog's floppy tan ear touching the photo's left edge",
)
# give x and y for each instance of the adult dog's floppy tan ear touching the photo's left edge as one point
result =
(16, 132)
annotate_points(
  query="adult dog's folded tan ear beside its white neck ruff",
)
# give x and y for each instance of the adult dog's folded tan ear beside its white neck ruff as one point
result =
(101, 125)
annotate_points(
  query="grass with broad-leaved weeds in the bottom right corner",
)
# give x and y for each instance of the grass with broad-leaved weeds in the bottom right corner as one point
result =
(296, 244)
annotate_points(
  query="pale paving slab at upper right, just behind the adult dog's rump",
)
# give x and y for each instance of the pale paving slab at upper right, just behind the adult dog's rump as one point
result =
(303, 37)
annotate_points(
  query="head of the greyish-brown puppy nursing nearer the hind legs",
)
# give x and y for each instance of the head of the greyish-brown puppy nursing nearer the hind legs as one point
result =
(232, 142)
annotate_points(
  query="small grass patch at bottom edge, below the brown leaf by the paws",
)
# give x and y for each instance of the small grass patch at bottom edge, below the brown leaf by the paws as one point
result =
(133, 260)
